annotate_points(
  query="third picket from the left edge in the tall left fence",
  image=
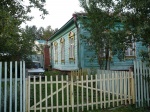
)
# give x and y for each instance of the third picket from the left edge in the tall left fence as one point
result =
(10, 85)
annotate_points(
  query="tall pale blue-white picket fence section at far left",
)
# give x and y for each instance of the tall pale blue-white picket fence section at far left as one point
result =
(12, 87)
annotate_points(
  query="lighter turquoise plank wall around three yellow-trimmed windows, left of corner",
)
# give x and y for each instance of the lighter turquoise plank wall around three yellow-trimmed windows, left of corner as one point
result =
(67, 65)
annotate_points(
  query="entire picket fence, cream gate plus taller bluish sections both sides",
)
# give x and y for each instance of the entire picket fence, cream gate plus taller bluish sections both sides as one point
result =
(79, 92)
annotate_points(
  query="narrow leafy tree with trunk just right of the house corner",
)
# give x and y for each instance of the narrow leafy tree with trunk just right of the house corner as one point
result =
(98, 25)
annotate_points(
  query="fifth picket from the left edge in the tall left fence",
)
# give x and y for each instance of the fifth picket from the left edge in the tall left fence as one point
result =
(21, 109)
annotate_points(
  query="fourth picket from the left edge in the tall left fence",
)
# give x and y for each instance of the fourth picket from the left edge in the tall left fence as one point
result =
(16, 85)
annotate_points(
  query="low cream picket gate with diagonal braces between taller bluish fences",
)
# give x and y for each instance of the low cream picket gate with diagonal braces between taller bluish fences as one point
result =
(79, 94)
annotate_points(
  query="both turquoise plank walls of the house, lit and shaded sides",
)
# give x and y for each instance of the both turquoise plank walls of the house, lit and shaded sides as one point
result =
(83, 55)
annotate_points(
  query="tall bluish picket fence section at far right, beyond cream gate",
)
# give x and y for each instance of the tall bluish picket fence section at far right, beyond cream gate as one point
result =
(142, 83)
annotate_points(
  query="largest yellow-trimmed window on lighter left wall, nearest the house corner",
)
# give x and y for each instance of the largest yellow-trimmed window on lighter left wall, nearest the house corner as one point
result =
(71, 46)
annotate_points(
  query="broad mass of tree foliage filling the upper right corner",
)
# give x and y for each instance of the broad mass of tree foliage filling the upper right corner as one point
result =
(116, 24)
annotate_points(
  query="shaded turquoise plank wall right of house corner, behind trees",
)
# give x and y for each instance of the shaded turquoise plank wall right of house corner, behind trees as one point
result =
(114, 63)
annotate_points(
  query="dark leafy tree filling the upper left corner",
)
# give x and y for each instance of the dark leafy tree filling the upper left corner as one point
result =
(15, 42)
